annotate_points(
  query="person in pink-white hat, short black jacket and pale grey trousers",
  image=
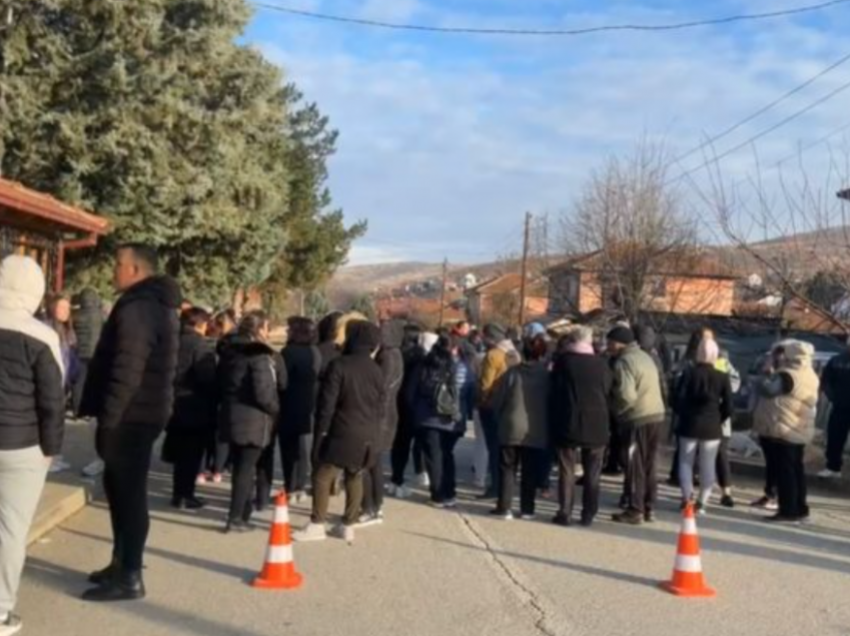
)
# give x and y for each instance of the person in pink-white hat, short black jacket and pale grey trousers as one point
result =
(702, 404)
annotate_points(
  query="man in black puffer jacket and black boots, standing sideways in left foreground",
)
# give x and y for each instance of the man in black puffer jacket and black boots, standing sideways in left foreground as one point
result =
(130, 390)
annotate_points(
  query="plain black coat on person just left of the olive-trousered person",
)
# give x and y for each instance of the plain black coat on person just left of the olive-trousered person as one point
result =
(298, 401)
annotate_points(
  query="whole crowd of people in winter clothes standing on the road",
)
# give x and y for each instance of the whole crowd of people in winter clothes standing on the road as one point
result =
(344, 397)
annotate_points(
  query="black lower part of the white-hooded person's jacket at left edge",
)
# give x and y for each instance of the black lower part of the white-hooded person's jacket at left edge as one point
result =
(32, 397)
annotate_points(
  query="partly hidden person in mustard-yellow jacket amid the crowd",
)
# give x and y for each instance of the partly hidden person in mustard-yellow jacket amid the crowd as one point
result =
(500, 357)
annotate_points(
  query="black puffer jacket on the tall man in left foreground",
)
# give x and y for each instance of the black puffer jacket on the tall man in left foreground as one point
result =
(130, 381)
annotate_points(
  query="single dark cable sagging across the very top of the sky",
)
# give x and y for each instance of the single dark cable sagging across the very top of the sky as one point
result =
(750, 17)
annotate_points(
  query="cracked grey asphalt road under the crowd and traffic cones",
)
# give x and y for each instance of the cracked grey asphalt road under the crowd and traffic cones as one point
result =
(430, 572)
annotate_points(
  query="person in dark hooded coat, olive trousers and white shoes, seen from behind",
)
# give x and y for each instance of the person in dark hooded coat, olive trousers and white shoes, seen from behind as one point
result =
(348, 429)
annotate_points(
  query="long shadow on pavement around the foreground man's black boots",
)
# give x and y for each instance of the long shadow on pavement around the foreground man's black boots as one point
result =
(71, 583)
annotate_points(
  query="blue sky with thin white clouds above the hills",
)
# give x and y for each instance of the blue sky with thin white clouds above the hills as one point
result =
(447, 140)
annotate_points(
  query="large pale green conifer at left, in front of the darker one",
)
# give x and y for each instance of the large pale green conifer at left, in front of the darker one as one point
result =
(149, 113)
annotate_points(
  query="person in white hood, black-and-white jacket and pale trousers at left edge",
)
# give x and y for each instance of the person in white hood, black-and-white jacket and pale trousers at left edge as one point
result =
(32, 418)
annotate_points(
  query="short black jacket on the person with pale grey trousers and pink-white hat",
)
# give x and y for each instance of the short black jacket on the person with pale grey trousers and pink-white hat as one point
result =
(703, 401)
